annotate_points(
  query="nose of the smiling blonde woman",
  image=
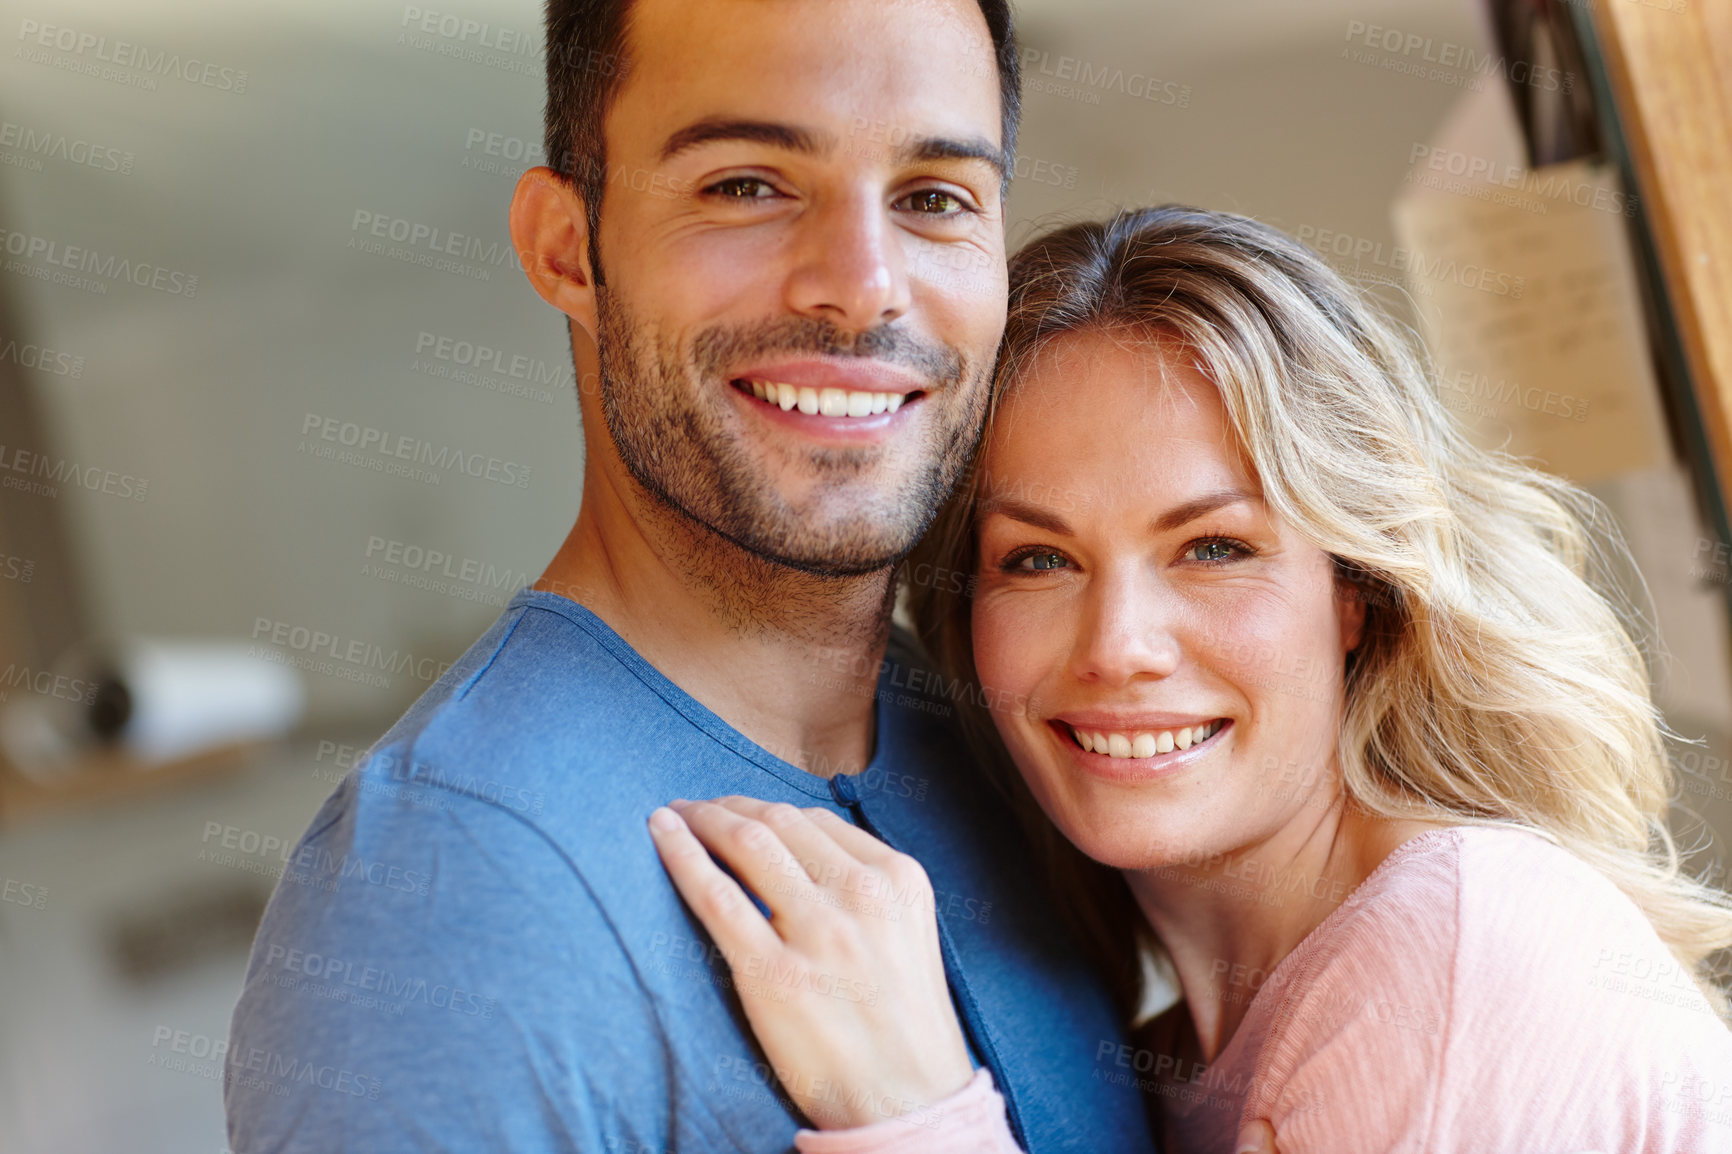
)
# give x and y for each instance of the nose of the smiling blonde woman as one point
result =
(1127, 632)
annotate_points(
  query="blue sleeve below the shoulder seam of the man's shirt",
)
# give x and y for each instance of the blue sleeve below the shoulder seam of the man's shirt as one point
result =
(408, 938)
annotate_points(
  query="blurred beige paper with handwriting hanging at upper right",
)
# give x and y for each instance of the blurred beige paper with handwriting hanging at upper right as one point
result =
(1527, 295)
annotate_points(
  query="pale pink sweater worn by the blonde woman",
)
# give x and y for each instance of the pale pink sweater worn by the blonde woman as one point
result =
(1482, 994)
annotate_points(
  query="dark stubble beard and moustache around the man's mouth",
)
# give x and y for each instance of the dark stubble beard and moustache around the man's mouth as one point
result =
(664, 405)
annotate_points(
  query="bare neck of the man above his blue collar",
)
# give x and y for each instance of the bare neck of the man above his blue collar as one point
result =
(789, 659)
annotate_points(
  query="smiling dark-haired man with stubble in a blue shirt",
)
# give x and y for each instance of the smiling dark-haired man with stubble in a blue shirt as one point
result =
(782, 254)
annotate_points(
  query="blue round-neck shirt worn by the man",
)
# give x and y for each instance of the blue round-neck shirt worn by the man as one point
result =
(477, 949)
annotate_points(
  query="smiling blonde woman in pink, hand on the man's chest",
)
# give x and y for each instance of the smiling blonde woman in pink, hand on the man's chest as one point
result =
(1326, 716)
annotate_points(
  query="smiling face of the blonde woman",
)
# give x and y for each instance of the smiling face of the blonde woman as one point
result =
(1137, 595)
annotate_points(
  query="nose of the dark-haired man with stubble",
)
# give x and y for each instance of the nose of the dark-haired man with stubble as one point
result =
(850, 264)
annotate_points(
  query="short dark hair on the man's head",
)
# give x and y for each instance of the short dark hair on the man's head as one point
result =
(586, 62)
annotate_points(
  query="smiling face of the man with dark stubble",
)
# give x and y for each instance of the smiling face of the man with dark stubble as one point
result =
(805, 268)
